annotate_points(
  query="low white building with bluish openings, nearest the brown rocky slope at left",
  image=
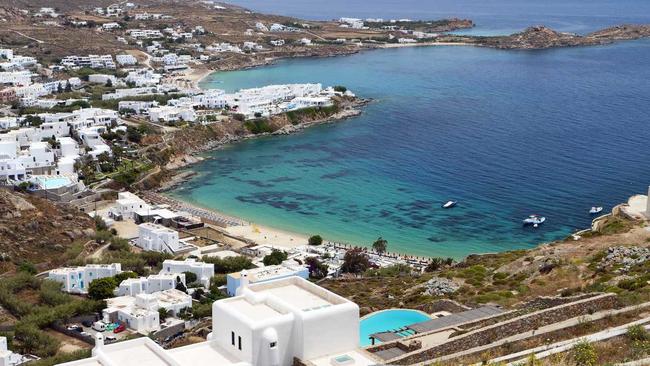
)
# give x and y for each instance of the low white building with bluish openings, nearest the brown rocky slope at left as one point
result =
(77, 279)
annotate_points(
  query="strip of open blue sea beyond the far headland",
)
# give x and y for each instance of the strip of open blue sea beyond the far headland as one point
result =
(490, 16)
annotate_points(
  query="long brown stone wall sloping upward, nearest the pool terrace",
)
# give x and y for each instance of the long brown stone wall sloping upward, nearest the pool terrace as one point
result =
(481, 337)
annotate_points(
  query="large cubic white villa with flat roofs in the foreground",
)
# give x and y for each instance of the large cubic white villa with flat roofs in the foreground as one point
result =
(276, 323)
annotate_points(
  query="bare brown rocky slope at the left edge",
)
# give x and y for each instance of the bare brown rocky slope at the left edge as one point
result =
(36, 230)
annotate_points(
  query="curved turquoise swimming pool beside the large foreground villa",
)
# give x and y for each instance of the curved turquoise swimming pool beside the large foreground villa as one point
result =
(386, 320)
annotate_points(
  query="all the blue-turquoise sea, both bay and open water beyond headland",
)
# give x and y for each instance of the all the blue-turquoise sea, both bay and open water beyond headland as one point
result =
(505, 133)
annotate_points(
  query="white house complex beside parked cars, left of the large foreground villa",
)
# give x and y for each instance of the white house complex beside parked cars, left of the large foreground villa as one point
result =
(140, 312)
